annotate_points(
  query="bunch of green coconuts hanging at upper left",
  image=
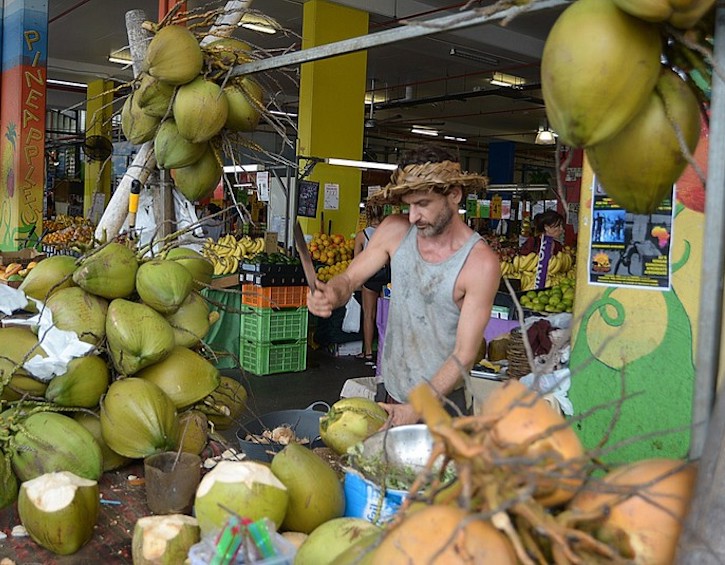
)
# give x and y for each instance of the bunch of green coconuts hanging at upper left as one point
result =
(187, 101)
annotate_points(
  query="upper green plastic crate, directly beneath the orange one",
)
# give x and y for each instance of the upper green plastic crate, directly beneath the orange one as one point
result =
(267, 325)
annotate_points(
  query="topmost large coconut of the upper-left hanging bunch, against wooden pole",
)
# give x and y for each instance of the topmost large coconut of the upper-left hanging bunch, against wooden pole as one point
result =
(173, 55)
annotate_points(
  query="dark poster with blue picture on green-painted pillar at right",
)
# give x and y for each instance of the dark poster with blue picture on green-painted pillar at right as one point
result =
(627, 249)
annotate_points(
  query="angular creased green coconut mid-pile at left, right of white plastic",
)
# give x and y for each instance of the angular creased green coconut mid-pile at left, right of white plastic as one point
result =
(138, 336)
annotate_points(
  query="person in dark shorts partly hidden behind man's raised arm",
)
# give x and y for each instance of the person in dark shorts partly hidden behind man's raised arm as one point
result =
(371, 288)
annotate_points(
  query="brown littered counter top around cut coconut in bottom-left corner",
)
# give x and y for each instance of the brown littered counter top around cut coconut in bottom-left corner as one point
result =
(123, 501)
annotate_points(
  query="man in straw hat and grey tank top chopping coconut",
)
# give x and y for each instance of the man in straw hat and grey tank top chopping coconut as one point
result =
(444, 279)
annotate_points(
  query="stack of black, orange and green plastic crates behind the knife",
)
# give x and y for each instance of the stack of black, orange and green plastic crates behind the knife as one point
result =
(274, 319)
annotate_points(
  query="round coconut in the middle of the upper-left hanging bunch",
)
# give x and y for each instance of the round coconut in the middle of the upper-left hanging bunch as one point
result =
(200, 110)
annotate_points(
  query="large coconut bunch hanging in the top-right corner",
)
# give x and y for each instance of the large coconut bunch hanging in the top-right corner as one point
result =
(627, 81)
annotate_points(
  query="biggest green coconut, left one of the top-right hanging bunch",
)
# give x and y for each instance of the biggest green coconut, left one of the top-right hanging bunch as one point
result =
(598, 69)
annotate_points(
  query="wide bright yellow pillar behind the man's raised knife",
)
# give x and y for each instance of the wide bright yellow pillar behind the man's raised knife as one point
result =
(332, 111)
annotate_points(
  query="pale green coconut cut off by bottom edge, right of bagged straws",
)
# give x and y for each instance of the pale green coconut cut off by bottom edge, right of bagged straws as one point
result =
(329, 540)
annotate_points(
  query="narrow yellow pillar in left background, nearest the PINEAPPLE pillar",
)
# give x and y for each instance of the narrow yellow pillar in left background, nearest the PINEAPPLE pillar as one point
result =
(99, 112)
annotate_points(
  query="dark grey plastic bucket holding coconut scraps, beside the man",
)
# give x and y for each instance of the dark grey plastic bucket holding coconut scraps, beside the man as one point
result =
(305, 424)
